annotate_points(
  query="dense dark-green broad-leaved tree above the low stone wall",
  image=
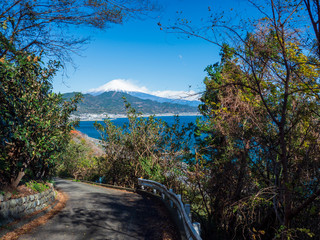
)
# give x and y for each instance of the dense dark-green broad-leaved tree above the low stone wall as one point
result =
(34, 120)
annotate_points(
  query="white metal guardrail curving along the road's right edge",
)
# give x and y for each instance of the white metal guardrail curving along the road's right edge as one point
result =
(192, 230)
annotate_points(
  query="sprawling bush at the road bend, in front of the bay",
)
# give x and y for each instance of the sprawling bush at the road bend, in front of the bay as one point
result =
(145, 147)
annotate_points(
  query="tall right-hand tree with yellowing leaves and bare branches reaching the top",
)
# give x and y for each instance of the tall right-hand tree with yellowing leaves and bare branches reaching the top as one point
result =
(262, 105)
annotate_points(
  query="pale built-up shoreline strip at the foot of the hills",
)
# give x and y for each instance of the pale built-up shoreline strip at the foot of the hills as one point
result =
(101, 117)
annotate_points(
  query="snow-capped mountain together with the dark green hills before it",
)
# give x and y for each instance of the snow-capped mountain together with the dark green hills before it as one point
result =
(108, 99)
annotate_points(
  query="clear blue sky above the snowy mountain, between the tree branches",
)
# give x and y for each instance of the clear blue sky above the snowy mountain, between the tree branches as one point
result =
(138, 51)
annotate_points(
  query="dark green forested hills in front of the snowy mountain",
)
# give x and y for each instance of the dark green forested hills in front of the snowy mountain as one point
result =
(112, 103)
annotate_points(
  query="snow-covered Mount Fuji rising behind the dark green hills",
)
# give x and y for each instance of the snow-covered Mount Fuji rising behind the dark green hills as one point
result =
(189, 98)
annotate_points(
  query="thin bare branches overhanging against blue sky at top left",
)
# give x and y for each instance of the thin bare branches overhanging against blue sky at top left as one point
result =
(37, 26)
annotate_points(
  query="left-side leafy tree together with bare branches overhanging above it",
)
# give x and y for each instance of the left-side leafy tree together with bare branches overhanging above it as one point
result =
(34, 121)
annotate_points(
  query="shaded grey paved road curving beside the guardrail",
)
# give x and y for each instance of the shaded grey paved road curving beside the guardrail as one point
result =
(100, 213)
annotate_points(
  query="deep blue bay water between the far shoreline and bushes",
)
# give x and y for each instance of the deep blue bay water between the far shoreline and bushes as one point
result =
(87, 127)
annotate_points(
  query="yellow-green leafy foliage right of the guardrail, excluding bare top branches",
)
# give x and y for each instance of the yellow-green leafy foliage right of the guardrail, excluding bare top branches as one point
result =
(252, 152)
